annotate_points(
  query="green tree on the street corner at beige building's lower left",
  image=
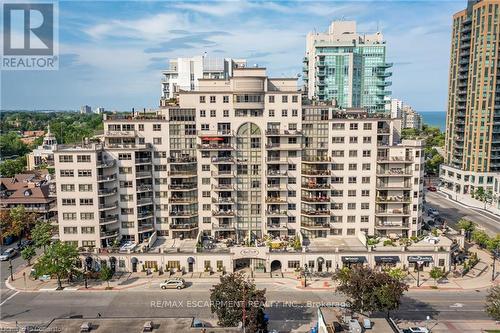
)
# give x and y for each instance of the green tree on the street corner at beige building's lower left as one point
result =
(59, 259)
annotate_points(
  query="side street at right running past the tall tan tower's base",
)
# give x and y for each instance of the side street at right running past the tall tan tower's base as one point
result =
(452, 212)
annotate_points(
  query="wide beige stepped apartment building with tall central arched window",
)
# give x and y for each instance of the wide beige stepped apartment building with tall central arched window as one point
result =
(241, 173)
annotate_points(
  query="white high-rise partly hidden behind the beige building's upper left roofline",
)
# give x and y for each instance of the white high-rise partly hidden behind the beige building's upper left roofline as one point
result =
(183, 73)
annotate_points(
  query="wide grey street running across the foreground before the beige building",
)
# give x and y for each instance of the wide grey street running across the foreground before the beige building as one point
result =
(288, 307)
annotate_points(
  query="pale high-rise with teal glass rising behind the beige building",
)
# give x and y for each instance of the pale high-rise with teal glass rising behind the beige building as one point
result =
(348, 67)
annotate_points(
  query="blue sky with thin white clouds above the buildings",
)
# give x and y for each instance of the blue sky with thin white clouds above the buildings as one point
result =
(112, 52)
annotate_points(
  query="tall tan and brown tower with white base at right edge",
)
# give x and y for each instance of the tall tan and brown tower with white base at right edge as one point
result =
(472, 148)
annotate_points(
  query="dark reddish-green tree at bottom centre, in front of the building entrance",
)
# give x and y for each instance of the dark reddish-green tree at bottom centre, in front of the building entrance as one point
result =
(233, 294)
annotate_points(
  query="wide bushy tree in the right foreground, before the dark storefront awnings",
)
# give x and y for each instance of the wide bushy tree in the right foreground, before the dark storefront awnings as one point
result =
(370, 291)
